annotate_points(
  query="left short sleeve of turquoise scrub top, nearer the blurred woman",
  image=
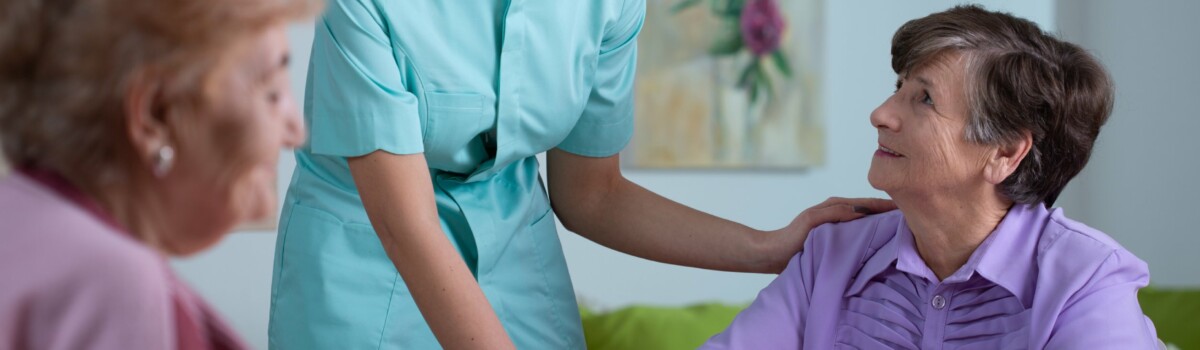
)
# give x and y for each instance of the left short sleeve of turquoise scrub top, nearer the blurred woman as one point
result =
(357, 96)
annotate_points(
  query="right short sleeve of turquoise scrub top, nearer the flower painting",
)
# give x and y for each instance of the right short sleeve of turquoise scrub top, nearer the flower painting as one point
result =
(608, 122)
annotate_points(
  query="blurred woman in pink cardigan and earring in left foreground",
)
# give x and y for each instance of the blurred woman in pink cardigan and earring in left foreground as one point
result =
(139, 130)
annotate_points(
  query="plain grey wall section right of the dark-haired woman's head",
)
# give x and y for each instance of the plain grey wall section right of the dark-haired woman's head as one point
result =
(1142, 185)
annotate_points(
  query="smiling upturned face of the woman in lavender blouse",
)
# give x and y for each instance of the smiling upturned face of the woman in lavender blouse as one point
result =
(922, 149)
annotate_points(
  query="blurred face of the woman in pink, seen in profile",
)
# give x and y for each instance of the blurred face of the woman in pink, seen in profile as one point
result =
(227, 158)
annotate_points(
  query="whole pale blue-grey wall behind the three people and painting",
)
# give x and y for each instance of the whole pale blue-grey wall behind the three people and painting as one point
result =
(1135, 190)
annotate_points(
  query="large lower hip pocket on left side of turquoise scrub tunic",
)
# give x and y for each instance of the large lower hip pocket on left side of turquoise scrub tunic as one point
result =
(333, 286)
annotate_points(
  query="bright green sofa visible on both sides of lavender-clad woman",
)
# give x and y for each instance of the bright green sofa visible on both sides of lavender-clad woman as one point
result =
(1177, 315)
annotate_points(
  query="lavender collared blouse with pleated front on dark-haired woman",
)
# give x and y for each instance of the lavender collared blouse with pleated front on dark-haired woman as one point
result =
(1040, 281)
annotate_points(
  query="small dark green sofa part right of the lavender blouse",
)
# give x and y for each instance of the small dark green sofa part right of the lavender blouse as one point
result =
(1177, 315)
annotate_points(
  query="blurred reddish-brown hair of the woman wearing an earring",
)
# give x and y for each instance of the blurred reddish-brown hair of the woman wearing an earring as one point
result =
(65, 67)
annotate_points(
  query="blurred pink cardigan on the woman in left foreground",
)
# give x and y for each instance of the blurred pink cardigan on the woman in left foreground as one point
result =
(71, 279)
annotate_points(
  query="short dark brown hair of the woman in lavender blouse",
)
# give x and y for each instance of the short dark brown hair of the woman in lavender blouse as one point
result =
(1018, 79)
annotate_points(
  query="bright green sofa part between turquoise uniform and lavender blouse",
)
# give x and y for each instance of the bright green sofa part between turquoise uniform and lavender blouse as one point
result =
(657, 328)
